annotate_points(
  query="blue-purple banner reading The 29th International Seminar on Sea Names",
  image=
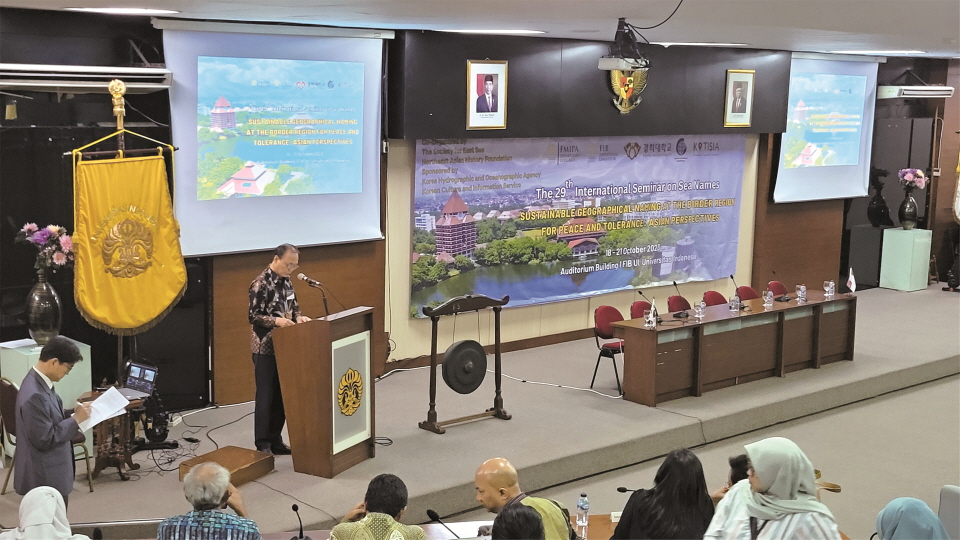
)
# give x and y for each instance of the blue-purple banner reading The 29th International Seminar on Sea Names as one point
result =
(544, 220)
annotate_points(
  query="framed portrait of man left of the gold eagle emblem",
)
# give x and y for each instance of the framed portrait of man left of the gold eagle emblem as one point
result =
(486, 94)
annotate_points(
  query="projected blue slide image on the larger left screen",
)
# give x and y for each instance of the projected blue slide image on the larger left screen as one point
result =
(269, 127)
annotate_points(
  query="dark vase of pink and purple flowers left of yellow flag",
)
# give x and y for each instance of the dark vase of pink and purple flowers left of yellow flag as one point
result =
(54, 252)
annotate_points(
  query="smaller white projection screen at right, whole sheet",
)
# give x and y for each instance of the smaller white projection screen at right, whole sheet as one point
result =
(825, 152)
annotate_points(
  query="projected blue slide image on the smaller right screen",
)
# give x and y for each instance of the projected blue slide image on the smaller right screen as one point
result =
(825, 119)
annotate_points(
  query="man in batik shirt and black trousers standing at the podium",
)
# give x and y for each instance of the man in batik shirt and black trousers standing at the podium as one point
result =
(273, 304)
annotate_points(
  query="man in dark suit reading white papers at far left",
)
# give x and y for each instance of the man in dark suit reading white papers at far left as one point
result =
(44, 454)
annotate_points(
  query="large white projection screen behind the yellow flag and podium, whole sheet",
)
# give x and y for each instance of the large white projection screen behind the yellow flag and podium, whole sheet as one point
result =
(279, 139)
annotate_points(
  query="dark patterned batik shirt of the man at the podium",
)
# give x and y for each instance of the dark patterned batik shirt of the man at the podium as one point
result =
(271, 296)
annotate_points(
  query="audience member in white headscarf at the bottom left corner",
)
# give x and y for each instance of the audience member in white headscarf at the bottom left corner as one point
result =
(43, 516)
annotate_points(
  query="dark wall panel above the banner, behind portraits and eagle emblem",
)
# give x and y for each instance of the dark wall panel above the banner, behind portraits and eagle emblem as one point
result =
(556, 90)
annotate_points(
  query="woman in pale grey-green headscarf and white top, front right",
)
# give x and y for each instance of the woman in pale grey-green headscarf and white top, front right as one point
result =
(777, 500)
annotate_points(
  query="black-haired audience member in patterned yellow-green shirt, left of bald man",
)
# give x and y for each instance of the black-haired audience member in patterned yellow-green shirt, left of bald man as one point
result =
(377, 517)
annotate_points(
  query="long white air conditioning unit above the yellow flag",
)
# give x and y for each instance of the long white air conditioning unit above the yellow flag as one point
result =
(82, 79)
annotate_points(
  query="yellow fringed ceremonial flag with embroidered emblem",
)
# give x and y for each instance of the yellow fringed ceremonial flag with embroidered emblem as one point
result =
(129, 270)
